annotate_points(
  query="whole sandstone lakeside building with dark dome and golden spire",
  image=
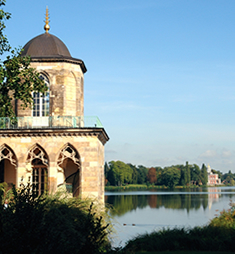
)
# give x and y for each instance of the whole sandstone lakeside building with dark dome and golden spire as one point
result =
(53, 143)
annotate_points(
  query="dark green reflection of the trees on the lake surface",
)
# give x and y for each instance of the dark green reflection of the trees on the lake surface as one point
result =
(126, 203)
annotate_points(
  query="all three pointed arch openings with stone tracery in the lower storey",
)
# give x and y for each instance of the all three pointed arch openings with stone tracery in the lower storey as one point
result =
(38, 163)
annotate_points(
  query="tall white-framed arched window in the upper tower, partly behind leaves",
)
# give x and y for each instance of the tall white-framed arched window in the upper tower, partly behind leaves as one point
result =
(41, 101)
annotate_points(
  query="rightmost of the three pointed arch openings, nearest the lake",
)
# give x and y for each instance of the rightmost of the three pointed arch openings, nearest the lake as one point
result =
(69, 164)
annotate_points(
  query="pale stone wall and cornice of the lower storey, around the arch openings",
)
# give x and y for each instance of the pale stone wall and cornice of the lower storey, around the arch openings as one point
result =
(89, 144)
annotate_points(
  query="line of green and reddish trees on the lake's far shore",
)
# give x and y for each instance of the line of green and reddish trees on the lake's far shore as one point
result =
(118, 173)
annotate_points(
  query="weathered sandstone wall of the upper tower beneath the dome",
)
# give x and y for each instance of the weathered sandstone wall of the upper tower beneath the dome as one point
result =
(66, 88)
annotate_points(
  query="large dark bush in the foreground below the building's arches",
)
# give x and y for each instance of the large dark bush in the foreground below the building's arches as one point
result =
(50, 224)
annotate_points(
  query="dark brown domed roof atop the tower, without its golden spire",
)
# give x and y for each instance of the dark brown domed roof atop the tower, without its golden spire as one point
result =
(45, 45)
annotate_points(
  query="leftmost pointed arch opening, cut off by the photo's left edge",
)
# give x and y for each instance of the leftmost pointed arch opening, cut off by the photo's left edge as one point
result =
(8, 165)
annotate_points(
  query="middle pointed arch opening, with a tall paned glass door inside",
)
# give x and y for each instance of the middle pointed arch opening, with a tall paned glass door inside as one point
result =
(39, 161)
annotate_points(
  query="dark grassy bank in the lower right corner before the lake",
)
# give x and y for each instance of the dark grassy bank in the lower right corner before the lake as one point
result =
(218, 235)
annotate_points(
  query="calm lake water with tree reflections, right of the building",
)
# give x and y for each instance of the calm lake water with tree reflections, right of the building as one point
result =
(144, 211)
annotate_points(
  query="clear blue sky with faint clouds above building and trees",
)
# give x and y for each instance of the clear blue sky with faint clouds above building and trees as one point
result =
(161, 73)
